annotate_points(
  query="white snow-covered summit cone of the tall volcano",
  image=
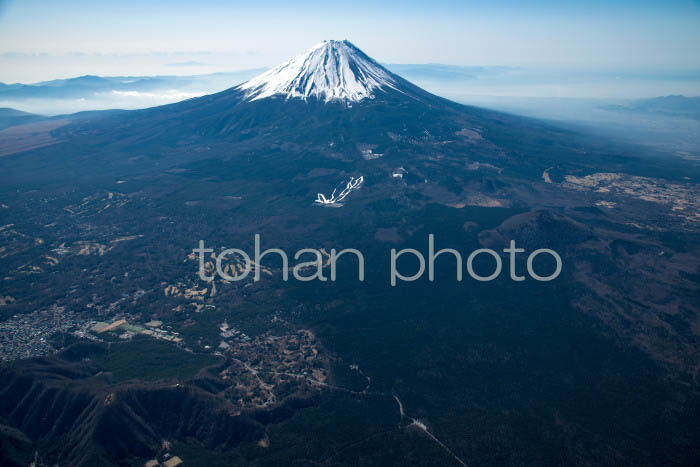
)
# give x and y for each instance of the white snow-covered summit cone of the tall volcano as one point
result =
(331, 70)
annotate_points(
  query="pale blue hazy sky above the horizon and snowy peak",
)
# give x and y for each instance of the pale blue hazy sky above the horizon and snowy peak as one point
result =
(42, 40)
